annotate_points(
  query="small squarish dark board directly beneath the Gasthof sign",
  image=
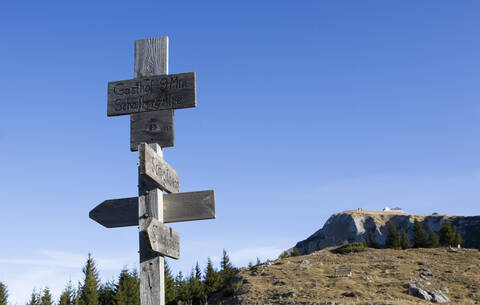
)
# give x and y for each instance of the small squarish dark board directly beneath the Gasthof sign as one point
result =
(152, 127)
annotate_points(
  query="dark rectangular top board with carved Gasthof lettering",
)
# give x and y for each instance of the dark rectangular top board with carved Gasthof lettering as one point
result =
(172, 91)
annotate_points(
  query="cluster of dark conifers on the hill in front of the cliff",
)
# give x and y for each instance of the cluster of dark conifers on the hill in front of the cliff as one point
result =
(421, 238)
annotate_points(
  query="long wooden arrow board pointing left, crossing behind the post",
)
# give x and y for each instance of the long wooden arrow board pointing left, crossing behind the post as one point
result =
(176, 208)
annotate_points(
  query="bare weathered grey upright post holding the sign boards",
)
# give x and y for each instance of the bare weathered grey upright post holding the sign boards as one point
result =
(151, 58)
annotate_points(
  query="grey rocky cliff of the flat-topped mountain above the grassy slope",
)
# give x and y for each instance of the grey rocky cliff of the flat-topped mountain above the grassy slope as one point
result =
(353, 226)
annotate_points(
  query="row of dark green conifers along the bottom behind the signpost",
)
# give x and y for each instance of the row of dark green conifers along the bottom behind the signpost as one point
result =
(193, 289)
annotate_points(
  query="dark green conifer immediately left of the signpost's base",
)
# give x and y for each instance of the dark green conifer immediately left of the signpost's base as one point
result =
(128, 289)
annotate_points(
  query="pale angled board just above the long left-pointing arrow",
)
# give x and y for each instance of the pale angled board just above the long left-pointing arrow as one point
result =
(154, 167)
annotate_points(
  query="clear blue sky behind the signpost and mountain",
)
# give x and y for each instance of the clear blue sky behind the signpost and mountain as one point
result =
(304, 109)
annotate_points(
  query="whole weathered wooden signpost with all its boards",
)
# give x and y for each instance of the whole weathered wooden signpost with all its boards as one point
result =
(150, 99)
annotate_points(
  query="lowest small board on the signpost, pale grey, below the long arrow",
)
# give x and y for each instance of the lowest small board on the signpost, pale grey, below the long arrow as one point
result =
(162, 239)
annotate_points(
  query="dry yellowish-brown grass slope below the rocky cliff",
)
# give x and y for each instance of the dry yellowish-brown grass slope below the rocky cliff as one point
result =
(379, 277)
